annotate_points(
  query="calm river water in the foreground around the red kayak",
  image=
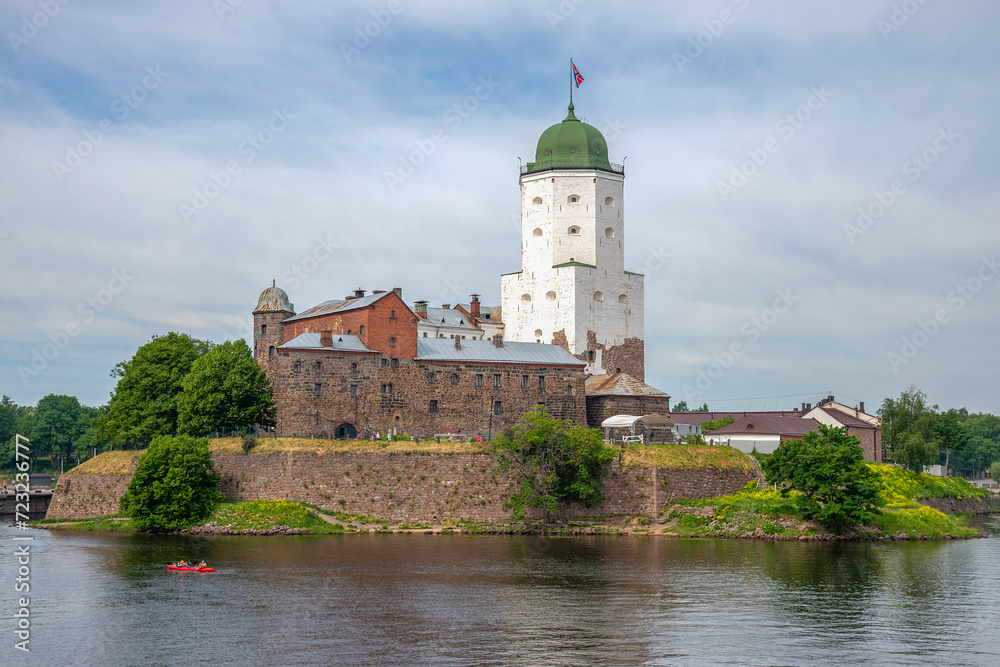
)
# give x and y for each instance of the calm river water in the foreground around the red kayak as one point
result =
(104, 599)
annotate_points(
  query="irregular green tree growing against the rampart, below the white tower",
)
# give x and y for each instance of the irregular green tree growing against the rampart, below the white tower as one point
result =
(553, 460)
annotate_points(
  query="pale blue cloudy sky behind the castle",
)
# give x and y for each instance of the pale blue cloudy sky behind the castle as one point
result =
(810, 186)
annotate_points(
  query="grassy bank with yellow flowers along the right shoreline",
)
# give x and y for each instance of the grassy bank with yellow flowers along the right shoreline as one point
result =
(764, 513)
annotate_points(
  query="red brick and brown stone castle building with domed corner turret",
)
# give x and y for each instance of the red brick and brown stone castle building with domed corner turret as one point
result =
(356, 366)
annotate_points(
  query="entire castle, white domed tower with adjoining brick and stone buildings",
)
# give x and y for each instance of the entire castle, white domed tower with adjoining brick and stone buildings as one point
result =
(568, 333)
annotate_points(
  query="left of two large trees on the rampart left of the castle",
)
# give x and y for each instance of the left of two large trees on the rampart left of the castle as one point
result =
(144, 402)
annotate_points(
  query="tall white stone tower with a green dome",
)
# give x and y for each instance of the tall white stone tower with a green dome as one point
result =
(573, 289)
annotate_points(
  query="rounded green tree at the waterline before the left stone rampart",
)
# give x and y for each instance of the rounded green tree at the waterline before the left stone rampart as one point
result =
(174, 486)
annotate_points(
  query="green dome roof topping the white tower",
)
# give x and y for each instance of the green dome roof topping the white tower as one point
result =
(571, 144)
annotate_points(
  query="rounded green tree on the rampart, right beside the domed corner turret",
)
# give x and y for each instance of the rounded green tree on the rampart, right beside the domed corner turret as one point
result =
(225, 387)
